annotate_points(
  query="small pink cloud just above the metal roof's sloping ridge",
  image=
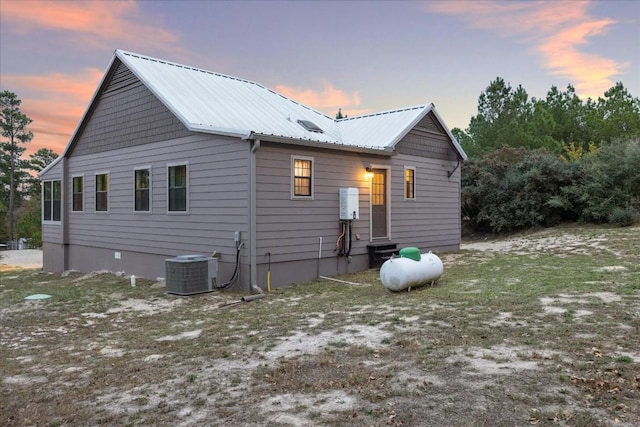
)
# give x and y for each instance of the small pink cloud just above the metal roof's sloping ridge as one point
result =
(328, 99)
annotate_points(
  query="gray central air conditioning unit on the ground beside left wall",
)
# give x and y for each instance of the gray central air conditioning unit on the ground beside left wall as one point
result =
(190, 274)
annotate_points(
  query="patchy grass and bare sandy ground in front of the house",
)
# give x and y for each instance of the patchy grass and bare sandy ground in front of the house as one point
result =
(535, 329)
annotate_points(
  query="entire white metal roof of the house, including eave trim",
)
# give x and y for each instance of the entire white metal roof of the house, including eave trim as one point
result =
(219, 104)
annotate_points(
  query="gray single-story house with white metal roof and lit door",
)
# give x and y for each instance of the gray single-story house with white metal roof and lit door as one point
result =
(172, 160)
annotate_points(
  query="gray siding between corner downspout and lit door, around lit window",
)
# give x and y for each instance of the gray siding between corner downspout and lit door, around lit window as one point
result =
(290, 229)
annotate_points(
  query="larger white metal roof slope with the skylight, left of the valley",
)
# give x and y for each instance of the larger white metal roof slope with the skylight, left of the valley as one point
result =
(216, 103)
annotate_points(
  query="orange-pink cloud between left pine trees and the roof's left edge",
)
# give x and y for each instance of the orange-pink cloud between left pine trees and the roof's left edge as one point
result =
(55, 103)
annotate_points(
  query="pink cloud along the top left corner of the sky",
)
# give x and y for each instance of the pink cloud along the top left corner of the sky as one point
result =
(100, 22)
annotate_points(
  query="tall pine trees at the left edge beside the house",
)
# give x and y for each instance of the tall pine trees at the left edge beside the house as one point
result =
(20, 198)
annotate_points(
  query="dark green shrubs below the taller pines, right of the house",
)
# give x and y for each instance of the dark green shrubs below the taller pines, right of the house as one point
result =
(513, 189)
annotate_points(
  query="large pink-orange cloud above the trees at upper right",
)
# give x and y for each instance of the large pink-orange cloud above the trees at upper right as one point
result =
(555, 30)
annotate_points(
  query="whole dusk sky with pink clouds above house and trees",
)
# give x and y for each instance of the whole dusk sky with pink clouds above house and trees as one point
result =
(361, 56)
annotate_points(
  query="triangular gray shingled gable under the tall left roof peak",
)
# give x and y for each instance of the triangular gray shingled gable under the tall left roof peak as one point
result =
(126, 114)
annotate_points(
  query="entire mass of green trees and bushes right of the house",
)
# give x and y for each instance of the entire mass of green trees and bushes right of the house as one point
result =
(538, 162)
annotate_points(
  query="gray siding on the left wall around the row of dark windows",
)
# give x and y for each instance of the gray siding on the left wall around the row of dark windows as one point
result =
(217, 192)
